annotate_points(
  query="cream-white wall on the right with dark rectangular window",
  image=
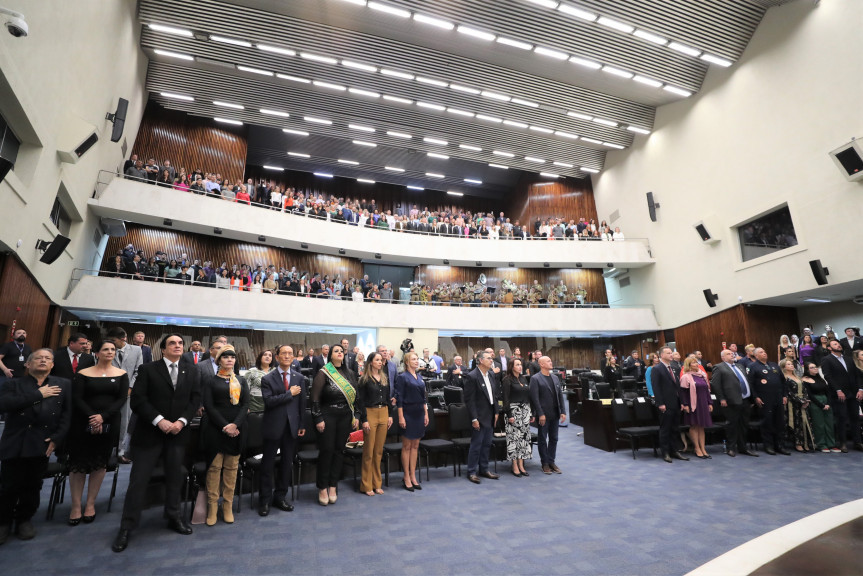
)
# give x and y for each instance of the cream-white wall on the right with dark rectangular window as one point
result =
(756, 136)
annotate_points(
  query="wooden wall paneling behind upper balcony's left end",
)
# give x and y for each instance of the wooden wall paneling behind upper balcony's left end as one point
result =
(191, 142)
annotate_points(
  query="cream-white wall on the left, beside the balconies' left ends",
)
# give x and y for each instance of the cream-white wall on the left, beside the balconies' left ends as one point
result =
(78, 59)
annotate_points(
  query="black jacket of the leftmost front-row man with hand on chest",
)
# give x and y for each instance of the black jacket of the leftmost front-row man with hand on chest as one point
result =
(30, 418)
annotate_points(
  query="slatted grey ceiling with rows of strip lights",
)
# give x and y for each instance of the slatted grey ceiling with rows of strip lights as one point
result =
(451, 94)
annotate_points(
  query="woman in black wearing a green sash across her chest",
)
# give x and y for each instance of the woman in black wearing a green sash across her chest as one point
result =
(334, 393)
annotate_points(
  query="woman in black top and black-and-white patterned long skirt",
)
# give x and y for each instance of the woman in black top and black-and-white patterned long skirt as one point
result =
(516, 405)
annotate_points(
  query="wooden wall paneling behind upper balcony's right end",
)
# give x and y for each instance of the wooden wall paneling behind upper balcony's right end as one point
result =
(567, 198)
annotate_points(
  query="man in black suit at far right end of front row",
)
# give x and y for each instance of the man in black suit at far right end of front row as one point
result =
(839, 372)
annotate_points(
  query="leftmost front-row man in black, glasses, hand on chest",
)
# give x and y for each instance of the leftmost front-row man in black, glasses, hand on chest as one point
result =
(39, 409)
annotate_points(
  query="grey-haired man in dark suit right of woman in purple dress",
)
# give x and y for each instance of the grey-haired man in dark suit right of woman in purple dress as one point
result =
(732, 390)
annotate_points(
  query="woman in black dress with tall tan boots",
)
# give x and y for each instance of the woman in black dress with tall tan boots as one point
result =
(226, 405)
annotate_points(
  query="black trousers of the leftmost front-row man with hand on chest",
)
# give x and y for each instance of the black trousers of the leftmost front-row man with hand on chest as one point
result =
(20, 485)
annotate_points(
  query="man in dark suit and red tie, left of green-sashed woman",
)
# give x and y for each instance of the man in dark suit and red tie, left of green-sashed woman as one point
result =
(284, 394)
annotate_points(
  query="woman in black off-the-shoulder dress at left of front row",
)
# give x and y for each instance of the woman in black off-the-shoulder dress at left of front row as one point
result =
(98, 394)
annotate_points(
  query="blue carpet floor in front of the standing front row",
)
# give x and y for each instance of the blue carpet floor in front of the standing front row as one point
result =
(607, 514)
